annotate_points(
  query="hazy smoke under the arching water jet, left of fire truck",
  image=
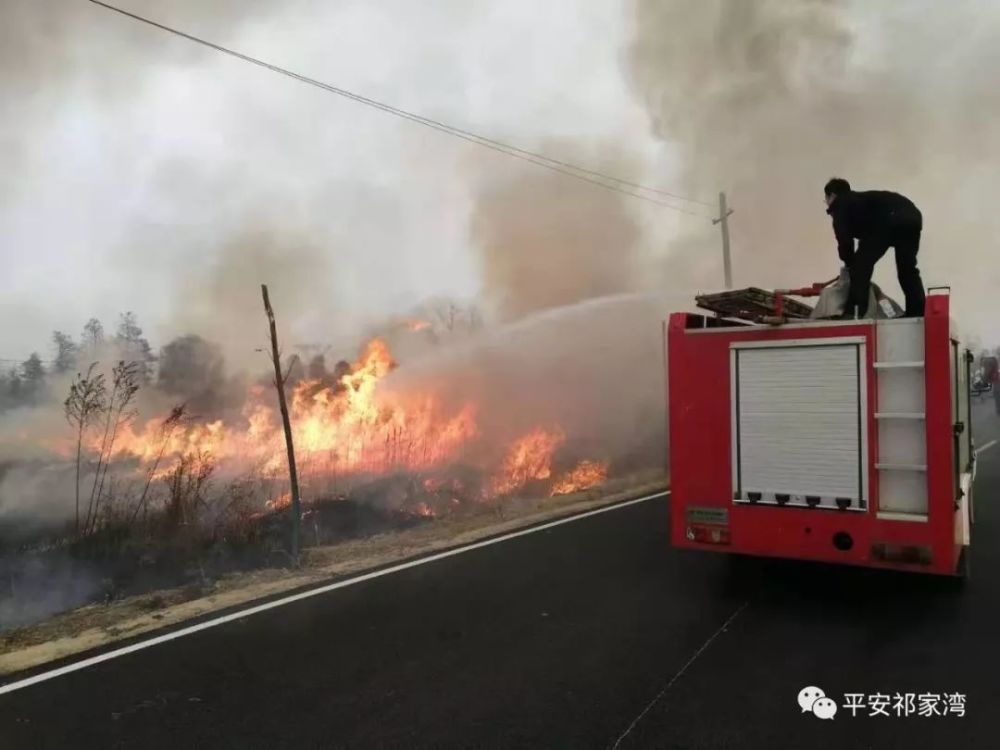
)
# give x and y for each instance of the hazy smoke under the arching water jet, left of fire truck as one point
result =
(594, 369)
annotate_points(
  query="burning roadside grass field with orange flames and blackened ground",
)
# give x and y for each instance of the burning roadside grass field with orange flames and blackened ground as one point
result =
(179, 499)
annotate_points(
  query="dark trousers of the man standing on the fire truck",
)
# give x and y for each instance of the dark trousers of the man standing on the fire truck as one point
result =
(906, 240)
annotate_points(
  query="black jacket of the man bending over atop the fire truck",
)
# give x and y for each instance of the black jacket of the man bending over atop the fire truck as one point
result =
(871, 215)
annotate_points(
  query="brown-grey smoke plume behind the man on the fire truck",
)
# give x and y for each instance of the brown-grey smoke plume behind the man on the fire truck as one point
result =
(768, 99)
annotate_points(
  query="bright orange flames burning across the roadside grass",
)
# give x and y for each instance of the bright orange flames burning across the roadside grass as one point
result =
(355, 425)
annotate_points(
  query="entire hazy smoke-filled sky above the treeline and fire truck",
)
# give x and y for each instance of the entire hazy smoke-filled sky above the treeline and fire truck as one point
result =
(143, 172)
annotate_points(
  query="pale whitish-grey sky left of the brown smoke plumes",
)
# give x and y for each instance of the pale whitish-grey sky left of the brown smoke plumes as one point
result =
(142, 159)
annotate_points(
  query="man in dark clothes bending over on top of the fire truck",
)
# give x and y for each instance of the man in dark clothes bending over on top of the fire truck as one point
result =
(878, 219)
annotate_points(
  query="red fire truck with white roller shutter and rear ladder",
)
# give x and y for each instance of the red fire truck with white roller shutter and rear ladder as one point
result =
(843, 441)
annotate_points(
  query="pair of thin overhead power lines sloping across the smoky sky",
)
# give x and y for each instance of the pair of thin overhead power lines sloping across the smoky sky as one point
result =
(606, 181)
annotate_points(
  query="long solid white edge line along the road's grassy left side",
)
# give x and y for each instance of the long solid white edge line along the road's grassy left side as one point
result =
(191, 629)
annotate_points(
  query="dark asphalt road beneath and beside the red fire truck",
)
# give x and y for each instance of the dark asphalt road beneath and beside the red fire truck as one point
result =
(577, 636)
